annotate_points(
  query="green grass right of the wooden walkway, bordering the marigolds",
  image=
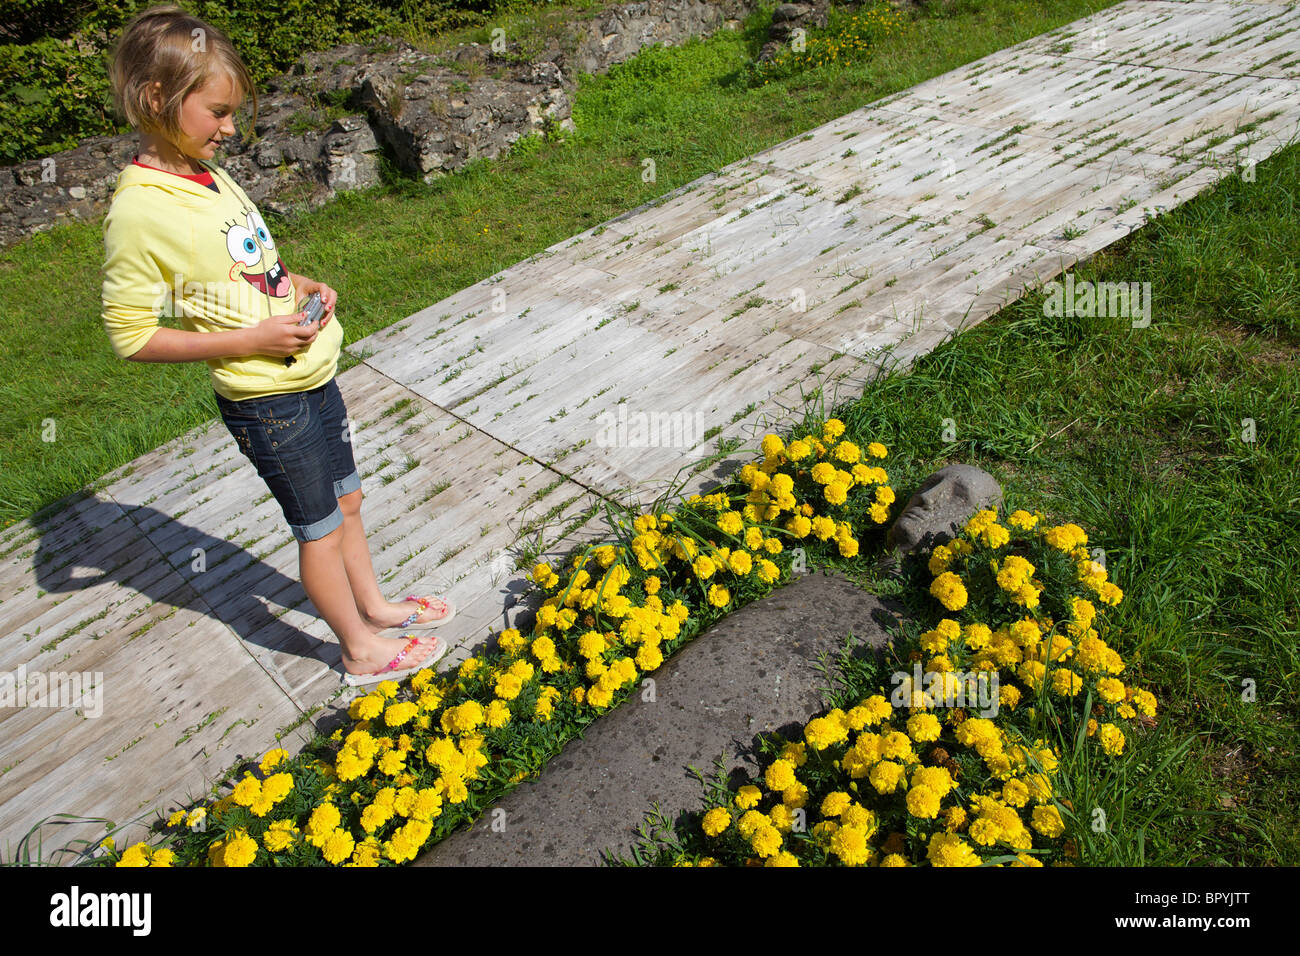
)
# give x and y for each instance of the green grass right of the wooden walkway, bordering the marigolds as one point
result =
(1138, 436)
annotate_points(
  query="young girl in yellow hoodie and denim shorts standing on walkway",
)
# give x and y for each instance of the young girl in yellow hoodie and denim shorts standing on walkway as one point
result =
(183, 236)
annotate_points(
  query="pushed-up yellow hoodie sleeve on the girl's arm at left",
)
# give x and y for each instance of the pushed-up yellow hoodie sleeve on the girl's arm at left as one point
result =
(135, 285)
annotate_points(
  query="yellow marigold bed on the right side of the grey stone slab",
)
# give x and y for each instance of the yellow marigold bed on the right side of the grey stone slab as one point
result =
(912, 775)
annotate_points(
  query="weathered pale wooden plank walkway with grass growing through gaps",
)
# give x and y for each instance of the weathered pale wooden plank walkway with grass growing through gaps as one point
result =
(492, 422)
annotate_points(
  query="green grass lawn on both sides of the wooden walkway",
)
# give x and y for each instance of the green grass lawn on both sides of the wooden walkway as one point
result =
(1134, 434)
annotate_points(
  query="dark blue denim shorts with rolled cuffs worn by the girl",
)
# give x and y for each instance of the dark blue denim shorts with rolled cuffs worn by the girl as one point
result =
(301, 444)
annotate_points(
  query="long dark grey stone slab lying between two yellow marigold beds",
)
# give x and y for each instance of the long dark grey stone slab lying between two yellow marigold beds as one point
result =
(753, 673)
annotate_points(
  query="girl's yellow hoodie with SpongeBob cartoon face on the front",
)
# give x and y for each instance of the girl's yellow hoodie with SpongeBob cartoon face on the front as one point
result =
(174, 246)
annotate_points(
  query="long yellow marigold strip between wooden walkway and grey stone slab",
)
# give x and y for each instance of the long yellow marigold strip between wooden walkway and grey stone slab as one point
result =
(427, 756)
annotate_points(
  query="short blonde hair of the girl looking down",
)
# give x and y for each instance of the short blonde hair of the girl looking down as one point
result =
(181, 53)
